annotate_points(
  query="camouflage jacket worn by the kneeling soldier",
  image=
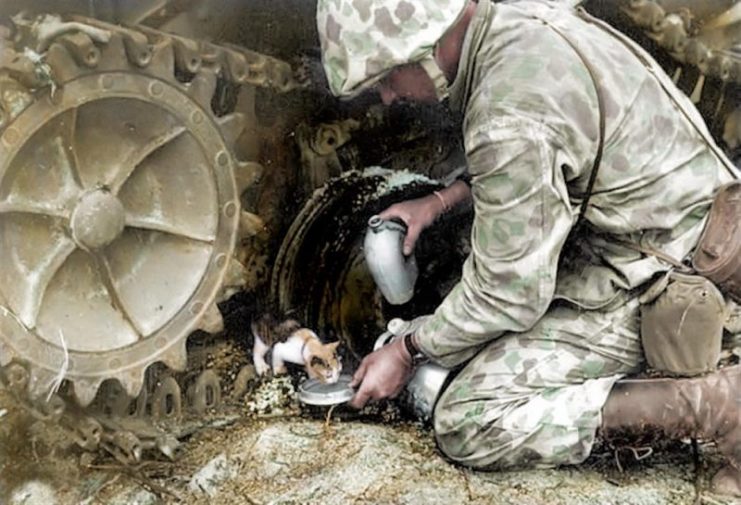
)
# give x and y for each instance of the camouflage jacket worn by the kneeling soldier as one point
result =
(531, 135)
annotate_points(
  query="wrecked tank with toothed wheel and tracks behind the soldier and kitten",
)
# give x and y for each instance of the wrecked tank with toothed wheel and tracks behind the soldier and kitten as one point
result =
(165, 163)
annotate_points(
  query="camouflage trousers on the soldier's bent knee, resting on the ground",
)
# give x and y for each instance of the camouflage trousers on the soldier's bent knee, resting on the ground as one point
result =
(535, 398)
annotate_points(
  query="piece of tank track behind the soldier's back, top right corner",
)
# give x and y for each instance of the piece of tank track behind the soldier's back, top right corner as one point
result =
(699, 46)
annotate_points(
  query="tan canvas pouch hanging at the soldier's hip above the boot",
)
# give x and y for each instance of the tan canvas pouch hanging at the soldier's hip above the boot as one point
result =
(682, 318)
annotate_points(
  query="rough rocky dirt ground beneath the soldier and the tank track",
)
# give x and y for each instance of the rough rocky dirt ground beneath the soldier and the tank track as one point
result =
(301, 458)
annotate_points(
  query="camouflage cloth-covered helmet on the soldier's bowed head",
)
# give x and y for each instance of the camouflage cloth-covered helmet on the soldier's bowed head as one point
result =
(362, 40)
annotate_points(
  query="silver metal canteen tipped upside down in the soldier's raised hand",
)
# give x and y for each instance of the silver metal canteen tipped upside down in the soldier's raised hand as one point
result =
(393, 273)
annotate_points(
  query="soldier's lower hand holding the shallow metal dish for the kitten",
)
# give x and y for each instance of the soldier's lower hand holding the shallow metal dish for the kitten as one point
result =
(382, 374)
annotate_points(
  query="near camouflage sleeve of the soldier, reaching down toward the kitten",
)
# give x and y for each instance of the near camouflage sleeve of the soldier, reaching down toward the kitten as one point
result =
(522, 218)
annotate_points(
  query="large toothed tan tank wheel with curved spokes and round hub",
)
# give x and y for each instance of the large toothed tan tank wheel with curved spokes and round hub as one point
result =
(119, 210)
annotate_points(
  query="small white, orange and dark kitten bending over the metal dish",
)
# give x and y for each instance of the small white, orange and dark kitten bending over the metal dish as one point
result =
(292, 343)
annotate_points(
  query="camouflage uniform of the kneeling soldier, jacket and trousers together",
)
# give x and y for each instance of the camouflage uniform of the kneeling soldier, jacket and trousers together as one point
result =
(553, 324)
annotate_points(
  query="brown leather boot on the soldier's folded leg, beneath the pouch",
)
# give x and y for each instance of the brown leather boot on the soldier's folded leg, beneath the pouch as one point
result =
(708, 407)
